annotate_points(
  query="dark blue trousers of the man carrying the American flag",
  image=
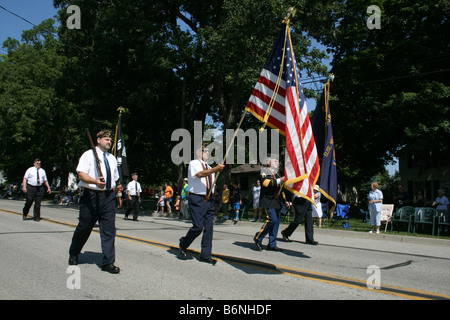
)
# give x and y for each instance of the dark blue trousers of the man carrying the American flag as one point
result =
(202, 221)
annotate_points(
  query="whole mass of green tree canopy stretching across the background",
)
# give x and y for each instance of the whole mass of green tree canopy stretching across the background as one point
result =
(173, 62)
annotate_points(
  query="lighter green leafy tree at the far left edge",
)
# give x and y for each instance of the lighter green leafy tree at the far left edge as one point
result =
(36, 121)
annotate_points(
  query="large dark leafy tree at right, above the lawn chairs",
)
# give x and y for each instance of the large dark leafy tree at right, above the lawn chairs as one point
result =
(391, 85)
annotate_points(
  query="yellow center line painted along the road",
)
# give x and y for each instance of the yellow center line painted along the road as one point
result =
(295, 272)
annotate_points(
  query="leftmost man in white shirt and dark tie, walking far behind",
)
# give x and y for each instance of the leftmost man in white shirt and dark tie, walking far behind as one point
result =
(33, 186)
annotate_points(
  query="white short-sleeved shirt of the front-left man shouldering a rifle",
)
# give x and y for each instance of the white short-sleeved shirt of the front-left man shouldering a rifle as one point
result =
(88, 165)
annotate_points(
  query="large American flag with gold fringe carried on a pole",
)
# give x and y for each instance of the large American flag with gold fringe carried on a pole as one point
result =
(278, 100)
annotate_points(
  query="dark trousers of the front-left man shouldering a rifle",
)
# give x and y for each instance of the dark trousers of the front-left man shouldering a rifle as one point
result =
(101, 207)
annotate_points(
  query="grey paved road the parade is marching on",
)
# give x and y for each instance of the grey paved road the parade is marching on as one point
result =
(345, 265)
